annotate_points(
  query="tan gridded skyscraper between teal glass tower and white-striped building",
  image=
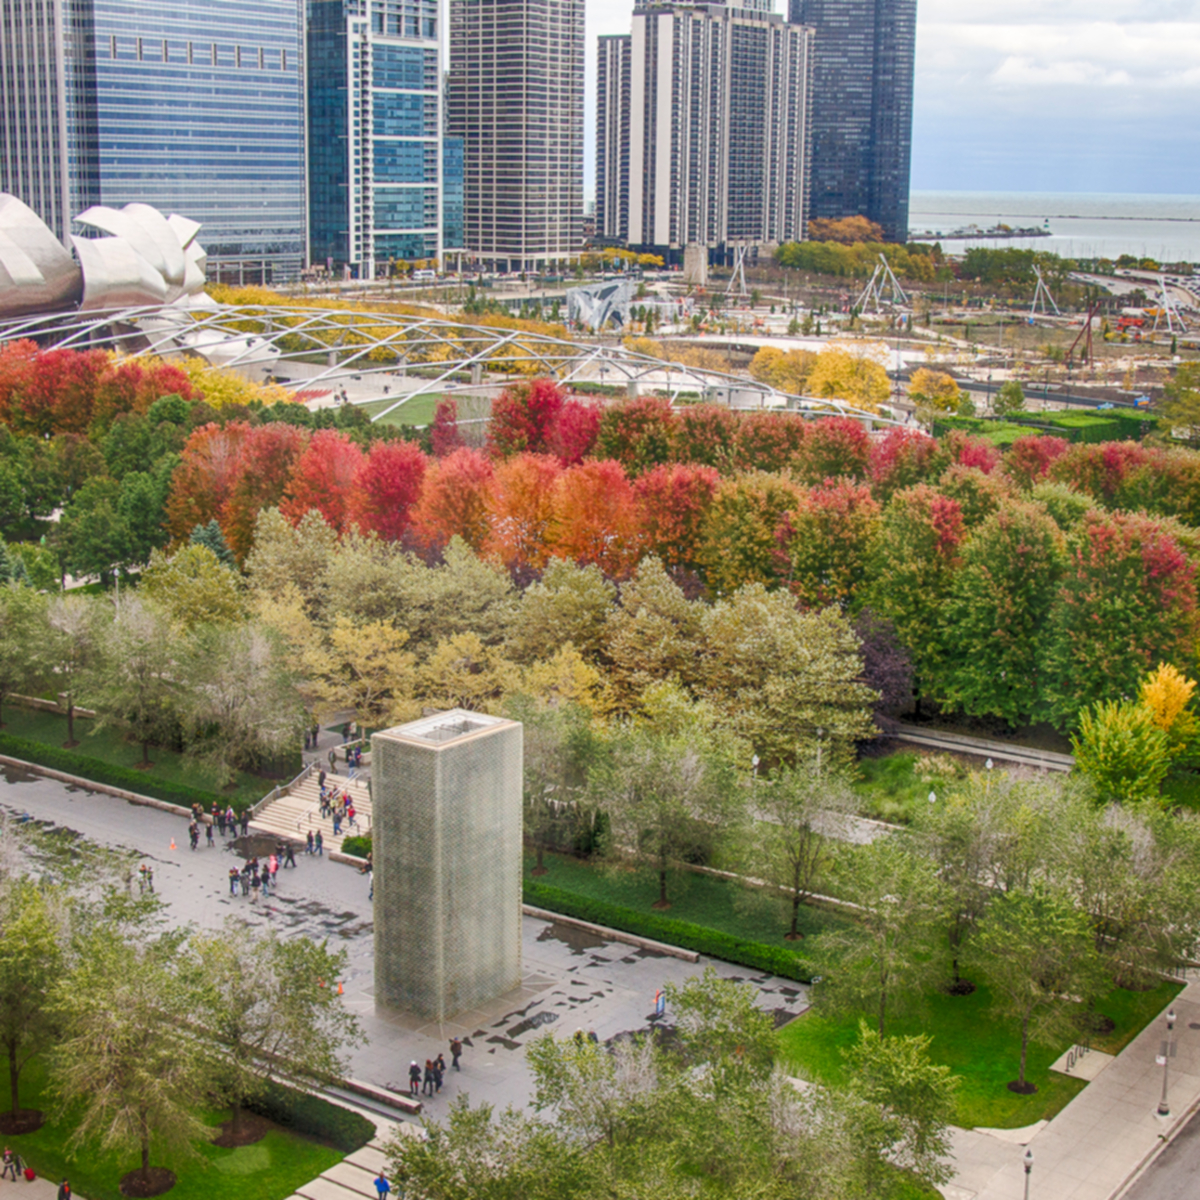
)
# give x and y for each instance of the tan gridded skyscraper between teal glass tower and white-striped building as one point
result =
(515, 97)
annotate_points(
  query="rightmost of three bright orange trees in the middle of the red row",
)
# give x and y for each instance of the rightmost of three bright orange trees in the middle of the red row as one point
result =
(596, 517)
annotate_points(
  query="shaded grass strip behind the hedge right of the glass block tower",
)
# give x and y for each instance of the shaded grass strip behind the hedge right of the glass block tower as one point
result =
(701, 899)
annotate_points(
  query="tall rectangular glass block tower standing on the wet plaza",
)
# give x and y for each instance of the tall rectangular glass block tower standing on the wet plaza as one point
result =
(447, 851)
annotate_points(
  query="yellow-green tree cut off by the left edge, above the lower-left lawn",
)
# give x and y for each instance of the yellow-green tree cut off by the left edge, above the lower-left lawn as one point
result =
(32, 937)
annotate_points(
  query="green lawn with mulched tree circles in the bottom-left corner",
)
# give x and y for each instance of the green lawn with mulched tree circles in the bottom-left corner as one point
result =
(268, 1171)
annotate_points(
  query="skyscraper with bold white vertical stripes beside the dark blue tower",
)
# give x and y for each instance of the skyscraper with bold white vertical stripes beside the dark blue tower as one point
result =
(704, 112)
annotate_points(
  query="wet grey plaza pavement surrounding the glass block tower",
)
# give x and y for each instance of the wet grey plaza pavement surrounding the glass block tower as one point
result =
(572, 980)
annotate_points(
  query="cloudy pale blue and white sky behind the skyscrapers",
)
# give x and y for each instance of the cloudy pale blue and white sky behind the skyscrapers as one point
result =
(1037, 95)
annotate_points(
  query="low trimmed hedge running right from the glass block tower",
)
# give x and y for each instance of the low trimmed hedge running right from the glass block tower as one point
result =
(703, 939)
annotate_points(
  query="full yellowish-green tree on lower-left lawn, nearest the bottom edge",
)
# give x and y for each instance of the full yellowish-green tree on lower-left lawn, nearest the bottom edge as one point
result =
(123, 1071)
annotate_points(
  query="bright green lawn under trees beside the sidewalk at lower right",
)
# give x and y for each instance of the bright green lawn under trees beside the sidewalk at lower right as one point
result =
(983, 1052)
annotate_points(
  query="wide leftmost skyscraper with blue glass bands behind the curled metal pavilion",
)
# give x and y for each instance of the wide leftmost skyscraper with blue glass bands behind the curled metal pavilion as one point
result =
(194, 107)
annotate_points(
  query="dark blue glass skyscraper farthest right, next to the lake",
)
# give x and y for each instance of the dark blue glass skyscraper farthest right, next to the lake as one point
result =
(862, 109)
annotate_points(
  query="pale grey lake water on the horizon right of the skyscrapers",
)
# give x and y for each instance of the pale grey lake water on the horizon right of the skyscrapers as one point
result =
(1083, 225)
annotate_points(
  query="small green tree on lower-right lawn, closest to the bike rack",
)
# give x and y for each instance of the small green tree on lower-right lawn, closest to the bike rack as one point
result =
(1041, 962)
